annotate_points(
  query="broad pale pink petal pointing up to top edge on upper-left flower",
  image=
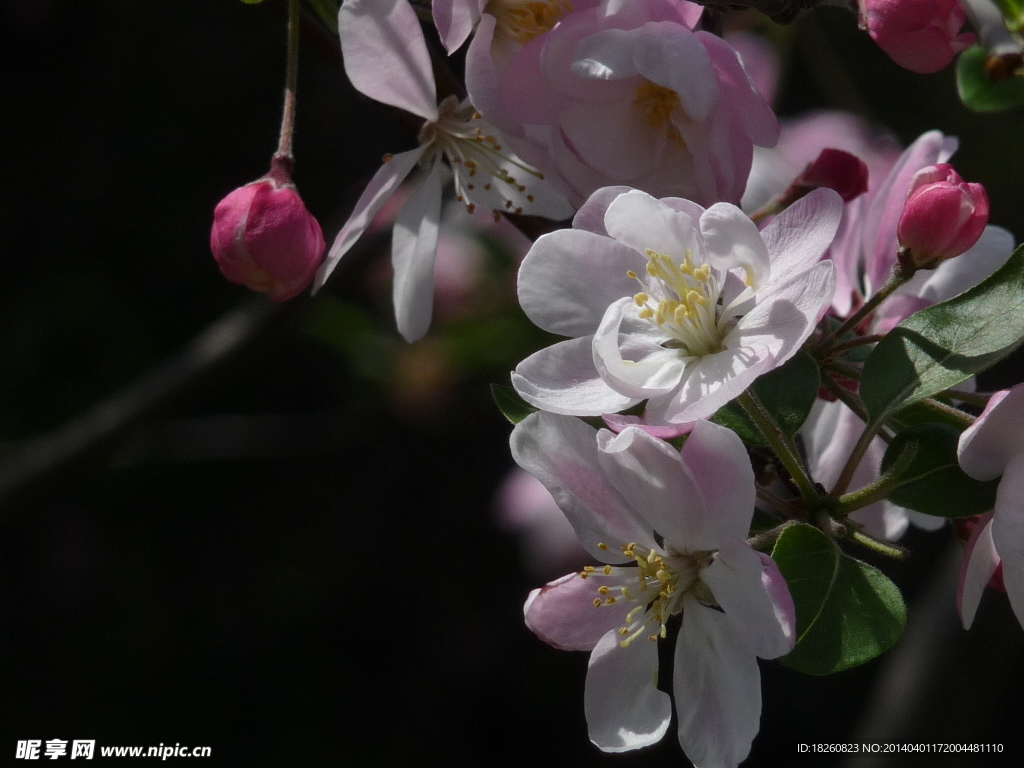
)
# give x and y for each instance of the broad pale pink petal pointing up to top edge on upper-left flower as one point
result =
(387, 57)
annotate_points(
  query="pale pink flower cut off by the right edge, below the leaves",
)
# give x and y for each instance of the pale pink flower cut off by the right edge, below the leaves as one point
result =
(994, 446)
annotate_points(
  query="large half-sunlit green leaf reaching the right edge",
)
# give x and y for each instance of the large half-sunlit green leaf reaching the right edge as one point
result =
(946, 345)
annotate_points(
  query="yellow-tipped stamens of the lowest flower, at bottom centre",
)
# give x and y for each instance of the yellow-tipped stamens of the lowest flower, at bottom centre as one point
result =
(662, 580)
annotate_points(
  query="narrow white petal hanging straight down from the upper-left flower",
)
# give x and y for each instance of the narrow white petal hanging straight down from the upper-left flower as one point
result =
(414, 248)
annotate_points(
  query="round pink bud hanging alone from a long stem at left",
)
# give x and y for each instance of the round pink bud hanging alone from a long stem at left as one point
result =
(265, 238)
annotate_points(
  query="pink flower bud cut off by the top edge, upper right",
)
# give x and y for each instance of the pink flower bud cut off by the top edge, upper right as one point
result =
(919, 35)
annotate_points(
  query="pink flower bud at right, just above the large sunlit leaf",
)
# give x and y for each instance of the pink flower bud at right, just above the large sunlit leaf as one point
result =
(944, 217)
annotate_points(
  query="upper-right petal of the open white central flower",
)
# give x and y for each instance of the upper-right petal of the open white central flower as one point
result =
(799, 237)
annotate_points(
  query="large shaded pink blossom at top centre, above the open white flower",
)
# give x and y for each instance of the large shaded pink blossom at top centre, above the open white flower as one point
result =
(627, 94)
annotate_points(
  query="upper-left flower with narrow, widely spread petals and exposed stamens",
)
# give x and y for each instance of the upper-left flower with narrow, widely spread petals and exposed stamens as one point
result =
(387, 59)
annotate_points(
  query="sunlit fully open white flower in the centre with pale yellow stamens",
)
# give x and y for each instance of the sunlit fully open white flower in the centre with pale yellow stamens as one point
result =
(671, 304)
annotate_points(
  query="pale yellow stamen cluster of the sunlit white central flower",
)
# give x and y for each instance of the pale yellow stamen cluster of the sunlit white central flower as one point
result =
(689, 312)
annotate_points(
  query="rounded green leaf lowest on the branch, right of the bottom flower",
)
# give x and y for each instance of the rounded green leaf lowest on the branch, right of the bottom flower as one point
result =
(848, 613)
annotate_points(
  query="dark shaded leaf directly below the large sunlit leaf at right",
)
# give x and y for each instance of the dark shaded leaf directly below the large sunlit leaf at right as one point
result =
(934, 484)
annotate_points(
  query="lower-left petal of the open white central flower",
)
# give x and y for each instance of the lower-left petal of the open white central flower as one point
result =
(563, 379)
